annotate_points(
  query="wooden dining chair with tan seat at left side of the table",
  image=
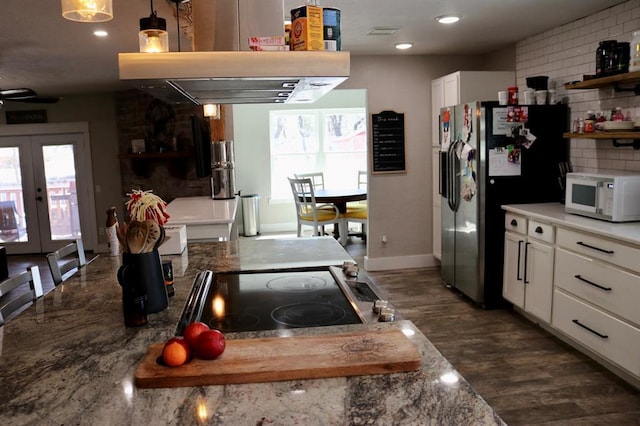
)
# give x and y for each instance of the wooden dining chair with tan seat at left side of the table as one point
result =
(308, 212)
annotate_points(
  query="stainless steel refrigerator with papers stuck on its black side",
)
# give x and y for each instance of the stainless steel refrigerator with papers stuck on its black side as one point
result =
(493, 155)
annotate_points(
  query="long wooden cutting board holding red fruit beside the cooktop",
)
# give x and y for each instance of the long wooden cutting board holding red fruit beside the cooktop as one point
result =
(287, 358)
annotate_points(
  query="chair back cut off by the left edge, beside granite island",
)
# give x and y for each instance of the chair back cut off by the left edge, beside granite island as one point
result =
(14, 294)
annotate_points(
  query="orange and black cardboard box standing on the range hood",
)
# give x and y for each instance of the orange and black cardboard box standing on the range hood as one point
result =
(307, 32)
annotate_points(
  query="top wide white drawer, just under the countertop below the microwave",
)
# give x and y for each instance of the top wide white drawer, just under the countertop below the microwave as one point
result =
(599, 248)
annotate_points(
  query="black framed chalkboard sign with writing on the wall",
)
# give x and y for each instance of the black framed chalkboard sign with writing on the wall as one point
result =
(387, 142)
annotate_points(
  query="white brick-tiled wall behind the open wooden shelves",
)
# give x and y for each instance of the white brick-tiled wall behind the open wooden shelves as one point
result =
(565, 54)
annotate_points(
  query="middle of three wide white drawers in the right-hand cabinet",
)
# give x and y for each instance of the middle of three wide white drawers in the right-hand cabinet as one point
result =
(612, 289)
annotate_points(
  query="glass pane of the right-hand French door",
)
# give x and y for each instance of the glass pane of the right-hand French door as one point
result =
(60, 175)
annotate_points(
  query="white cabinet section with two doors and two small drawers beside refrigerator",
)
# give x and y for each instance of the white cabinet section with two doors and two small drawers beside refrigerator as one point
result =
(528, 266)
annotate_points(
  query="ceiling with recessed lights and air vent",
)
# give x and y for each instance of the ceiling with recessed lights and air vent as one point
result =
(56, 57)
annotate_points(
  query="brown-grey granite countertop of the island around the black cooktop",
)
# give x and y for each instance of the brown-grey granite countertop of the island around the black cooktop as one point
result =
(69, 360)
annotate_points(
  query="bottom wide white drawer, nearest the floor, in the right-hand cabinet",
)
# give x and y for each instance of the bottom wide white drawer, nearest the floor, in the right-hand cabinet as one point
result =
(618, 342)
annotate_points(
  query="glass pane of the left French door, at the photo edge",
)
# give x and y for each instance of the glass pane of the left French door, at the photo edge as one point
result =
(12, 219)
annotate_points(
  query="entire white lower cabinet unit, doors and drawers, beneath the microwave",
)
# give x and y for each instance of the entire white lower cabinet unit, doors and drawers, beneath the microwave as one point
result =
(585, 286)
